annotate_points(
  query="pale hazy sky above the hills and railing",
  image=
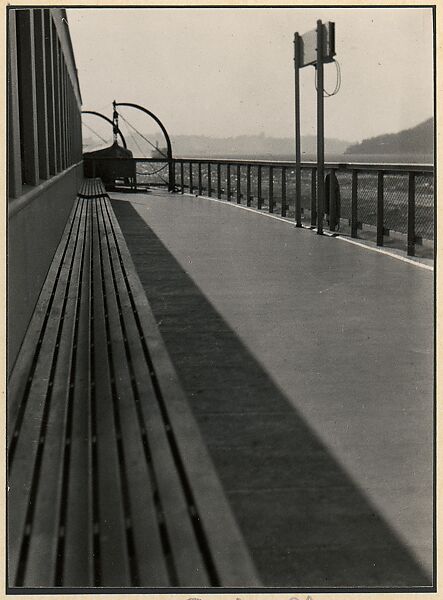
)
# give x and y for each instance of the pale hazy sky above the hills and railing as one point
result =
(227, 72)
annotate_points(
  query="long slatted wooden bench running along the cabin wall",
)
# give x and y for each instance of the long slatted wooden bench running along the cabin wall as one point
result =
(110, 483)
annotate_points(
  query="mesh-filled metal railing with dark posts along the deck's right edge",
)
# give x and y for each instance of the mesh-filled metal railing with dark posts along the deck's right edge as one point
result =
(386, 202)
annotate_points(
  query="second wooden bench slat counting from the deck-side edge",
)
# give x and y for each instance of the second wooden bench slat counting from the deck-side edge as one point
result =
(188, 561)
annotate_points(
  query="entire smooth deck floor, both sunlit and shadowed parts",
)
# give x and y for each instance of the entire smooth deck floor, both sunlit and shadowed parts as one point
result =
(309, 366)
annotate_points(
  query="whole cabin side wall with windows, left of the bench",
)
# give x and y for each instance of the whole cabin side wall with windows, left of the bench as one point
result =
(44, 154)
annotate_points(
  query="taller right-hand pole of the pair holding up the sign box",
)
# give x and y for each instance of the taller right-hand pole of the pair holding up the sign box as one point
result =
(320, 131)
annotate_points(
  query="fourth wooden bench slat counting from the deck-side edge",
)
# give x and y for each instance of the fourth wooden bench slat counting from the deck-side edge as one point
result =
(114, 561)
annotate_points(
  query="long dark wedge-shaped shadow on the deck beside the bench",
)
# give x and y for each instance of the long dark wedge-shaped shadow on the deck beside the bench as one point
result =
(303, 518)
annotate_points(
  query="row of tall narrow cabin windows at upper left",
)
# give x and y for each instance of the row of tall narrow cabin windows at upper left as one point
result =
(44, 124)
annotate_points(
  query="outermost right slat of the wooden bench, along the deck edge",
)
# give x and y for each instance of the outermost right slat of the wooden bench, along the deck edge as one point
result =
(232, 562)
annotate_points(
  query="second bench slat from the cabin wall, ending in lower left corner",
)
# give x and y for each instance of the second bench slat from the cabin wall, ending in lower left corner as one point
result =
(25, 458)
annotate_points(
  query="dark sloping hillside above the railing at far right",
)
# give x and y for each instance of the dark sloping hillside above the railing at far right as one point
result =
(418, 140)
